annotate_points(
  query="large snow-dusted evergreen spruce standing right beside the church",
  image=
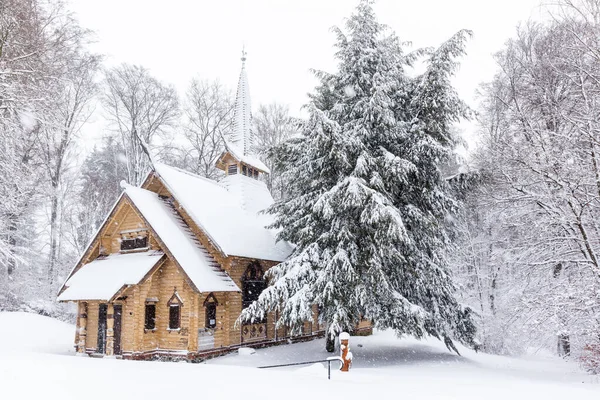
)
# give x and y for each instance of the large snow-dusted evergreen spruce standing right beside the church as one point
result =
(367, 203)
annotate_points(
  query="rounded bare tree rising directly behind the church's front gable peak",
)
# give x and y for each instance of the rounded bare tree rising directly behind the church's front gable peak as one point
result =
(139, 108)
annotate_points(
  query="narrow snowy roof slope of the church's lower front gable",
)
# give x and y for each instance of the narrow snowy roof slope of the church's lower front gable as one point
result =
(204, 272)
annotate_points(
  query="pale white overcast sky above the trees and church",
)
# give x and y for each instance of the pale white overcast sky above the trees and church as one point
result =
(180, 39)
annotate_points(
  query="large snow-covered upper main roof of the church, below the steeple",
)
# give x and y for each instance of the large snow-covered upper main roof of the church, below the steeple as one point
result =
(233, 227)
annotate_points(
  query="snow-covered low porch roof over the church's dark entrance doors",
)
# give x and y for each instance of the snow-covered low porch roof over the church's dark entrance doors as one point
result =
(104, 277)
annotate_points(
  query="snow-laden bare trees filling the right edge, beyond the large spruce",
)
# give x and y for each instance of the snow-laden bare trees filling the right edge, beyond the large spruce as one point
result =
(529, 254)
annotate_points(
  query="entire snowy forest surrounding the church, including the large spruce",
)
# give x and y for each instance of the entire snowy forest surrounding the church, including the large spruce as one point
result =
(497, 248)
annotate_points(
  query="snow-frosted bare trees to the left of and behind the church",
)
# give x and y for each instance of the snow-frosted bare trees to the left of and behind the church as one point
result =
(55, 194)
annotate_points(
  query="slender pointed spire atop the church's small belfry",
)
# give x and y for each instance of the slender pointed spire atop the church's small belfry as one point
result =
(242, 136)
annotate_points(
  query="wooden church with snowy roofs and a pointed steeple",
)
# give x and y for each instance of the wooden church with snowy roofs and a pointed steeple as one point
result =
(178, 258)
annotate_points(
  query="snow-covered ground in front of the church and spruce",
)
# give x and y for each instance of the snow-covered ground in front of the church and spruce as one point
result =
(384, 367)
